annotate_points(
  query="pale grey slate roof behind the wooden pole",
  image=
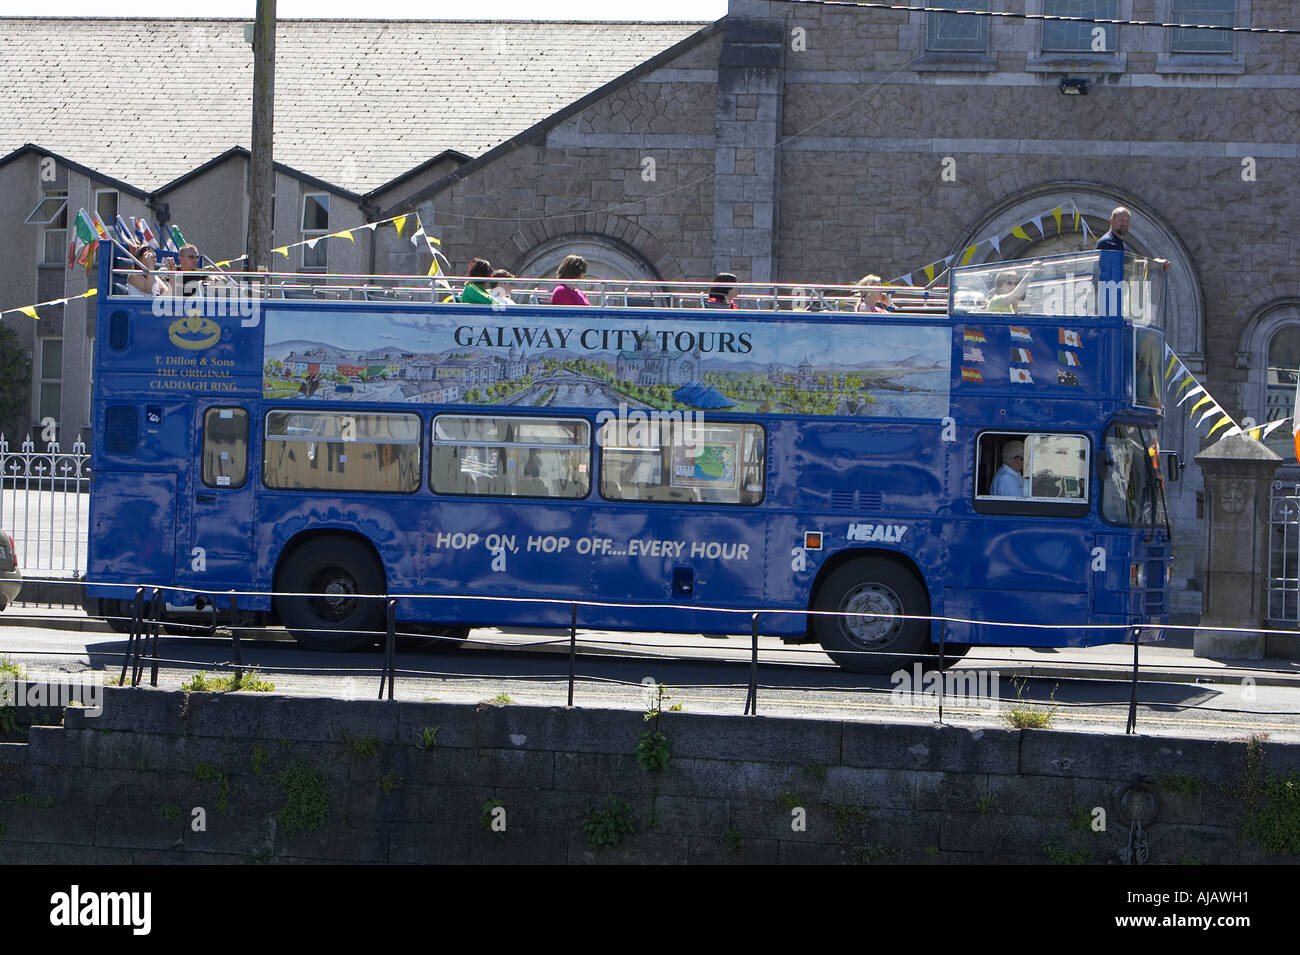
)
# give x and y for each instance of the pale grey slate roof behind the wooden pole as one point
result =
(358, 103)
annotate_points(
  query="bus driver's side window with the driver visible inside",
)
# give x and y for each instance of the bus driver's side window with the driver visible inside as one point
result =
(1033, 468)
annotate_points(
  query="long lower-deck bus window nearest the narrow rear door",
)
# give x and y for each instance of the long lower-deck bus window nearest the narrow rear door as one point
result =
(343, 452)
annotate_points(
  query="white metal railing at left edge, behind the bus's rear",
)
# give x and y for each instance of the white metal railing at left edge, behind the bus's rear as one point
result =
(46, 507)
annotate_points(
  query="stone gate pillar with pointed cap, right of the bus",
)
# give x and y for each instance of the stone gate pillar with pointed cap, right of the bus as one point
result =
(1238, 474)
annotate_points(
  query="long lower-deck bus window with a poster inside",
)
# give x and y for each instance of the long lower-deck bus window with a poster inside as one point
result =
(686, 463)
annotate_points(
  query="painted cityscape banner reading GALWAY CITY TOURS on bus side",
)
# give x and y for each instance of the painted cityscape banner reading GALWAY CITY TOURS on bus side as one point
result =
(510, 358)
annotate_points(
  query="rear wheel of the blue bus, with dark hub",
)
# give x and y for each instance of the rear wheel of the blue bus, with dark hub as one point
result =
(336, 571)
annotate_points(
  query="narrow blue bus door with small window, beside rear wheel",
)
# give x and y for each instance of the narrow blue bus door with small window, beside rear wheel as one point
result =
(220, 553)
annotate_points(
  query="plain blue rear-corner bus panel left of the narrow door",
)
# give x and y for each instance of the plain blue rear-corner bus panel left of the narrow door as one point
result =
(133, 528)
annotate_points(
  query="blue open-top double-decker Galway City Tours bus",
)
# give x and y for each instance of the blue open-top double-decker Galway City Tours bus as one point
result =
(977, 466)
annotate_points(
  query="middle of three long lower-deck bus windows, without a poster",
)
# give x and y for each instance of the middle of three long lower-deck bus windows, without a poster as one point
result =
(512, 458)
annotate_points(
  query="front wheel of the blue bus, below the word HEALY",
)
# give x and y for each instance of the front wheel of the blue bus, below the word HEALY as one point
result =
(866, 645)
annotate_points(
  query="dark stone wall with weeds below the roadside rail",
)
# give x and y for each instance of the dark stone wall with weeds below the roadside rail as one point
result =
(124, 788)
